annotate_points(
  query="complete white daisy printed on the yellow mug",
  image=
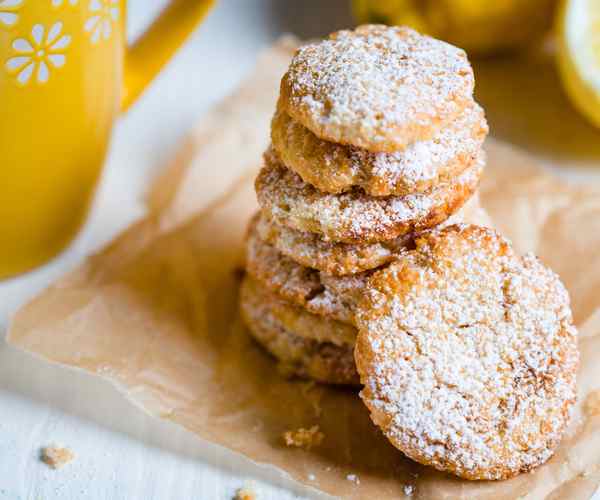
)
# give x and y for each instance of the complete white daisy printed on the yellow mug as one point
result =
(39, 54)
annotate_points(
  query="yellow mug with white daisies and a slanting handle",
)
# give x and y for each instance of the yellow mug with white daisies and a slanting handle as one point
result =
(65, 73)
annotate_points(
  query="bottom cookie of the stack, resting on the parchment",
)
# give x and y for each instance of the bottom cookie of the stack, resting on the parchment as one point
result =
(303, 357)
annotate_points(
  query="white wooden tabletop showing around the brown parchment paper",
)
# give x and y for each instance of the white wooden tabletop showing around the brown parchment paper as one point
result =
(120, 452)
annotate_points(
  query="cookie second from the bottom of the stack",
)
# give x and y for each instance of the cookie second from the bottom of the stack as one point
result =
(328, 296)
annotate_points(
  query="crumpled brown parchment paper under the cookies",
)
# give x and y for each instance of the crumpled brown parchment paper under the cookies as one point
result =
(156, 313)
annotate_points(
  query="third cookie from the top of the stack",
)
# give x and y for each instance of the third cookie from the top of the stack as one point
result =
(354, 217)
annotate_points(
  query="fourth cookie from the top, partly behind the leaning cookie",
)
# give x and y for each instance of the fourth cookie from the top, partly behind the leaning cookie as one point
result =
(340, 259)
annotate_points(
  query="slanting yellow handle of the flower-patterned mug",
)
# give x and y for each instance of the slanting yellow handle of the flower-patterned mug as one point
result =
(145, 58)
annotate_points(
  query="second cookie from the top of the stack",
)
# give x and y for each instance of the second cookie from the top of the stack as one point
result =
(335, 168)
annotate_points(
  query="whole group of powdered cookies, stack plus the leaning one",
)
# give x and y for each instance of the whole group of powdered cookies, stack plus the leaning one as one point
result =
(466, 351)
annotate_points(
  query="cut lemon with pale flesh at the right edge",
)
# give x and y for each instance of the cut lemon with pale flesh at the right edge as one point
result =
(578, 30)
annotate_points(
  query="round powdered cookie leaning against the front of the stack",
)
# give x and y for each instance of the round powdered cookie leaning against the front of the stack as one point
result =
(468, 355)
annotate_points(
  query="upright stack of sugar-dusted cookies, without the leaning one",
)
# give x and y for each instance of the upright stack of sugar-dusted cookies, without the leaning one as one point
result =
(376, 138)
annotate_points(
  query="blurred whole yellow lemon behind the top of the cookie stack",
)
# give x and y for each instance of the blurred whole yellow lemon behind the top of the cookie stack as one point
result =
(480, 27)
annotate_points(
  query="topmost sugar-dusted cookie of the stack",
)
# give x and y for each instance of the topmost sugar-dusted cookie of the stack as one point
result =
(378, 88)
